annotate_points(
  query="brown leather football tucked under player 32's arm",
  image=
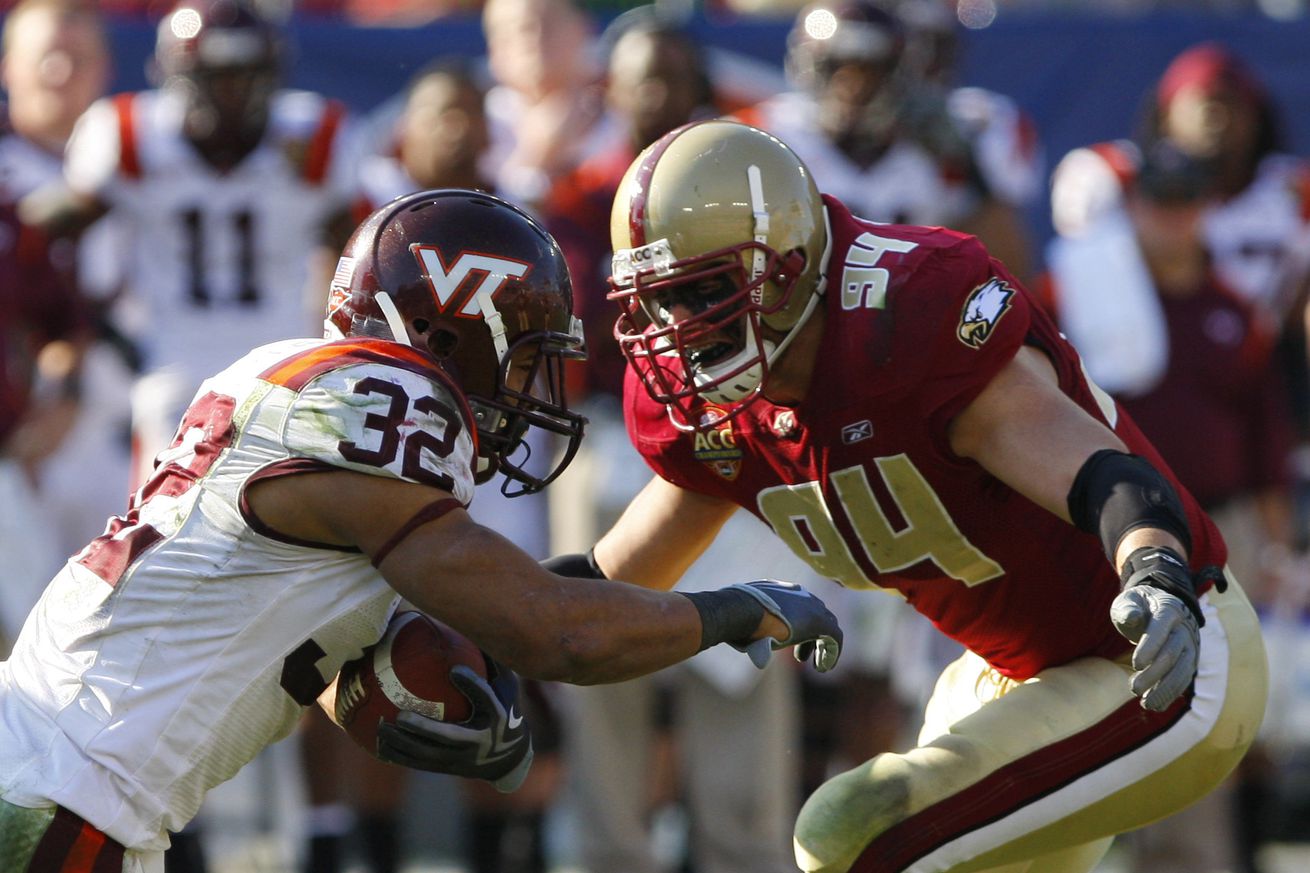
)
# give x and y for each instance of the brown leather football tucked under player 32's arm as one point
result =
(407, 670)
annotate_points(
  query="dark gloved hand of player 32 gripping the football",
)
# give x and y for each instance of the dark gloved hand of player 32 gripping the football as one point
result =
(493, 744)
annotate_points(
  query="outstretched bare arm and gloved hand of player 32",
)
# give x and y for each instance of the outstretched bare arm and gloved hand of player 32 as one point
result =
(539, 625)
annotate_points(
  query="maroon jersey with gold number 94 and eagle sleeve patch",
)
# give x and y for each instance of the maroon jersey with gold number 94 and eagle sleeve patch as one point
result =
(860, 479)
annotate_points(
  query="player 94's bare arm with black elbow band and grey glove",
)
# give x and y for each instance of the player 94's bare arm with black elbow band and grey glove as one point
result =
(1030, 436)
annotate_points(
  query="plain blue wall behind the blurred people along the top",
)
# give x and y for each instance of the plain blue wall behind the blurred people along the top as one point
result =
(1080, 75)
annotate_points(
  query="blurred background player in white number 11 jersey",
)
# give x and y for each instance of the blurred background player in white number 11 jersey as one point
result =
(229, 184)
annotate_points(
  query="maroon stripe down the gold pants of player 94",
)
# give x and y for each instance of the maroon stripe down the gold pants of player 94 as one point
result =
(1019, 785)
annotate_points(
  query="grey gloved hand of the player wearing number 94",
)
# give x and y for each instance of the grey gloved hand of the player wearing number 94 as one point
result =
(1159, 611)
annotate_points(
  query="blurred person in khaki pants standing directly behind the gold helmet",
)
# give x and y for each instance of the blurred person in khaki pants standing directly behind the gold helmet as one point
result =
(690, 737)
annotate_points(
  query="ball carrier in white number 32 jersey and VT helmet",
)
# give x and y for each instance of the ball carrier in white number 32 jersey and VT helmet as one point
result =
(311, 486)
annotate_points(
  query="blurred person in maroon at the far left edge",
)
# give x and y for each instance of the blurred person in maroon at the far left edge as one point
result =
(56, 64)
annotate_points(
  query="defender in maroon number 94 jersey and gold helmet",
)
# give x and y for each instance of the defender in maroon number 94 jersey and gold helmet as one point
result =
(890, 400)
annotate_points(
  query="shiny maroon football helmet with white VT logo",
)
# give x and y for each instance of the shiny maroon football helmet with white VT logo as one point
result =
(481, 288)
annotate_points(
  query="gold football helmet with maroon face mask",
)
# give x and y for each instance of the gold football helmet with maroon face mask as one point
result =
(719, 230)
